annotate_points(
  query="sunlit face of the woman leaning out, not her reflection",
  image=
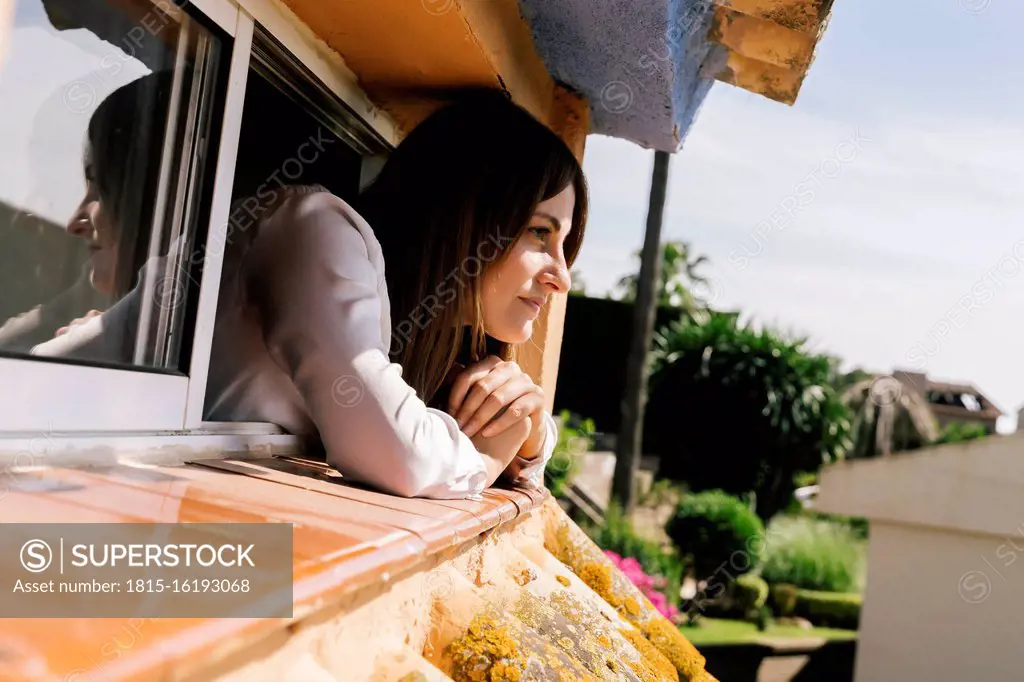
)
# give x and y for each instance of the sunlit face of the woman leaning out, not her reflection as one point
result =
(517, 288)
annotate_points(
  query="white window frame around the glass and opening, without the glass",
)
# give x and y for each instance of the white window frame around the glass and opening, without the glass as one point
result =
(112, 405)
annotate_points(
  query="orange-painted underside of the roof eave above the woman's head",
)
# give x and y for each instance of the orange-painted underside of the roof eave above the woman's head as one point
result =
(411, 56)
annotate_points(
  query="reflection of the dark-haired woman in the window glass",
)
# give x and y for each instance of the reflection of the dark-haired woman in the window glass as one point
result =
(123, 147)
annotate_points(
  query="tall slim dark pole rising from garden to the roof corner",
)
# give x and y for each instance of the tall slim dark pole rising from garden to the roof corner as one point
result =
(628, 446)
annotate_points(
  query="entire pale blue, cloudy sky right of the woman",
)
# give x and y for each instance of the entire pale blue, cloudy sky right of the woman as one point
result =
(881, 217)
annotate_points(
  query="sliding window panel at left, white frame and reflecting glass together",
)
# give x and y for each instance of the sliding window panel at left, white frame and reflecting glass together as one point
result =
(110, 135)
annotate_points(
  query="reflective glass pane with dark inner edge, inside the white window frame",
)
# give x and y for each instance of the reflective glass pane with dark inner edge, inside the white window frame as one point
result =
(104, 129)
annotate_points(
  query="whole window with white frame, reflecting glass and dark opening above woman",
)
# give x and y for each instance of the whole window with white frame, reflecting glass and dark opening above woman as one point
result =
(120, 154)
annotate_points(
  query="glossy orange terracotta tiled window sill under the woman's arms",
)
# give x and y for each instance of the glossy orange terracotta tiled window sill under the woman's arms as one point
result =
(347, 539)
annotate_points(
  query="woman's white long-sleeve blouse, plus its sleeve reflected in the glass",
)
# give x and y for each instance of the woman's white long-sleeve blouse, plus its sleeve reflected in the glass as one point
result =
(302, 340)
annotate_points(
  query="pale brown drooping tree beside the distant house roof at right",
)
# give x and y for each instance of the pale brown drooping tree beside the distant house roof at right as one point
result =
(888, 417)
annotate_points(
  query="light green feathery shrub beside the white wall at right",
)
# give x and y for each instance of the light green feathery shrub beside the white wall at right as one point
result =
(814, 555)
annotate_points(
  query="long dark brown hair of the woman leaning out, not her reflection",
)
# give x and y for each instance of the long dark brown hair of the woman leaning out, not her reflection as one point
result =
(454, 196)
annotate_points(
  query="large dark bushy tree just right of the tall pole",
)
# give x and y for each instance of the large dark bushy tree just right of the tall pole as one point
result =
(743, 410)
